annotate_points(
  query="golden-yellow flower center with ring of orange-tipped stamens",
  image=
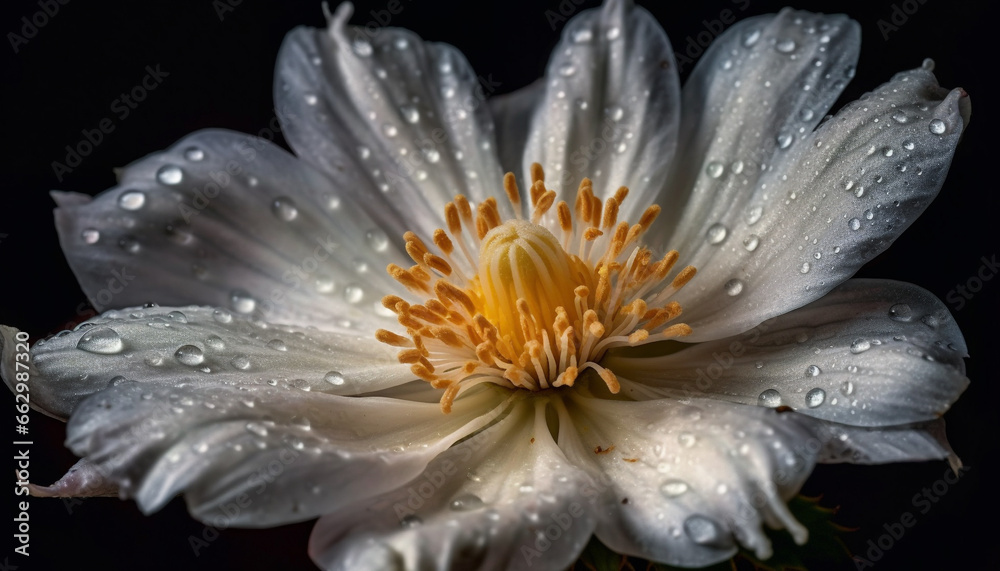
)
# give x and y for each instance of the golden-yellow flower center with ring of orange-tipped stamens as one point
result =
(531, 304)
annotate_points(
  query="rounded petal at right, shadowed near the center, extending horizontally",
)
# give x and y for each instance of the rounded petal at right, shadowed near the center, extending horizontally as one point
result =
(869, 353)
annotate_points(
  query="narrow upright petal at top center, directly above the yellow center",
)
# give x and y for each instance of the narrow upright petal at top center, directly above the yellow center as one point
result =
(611, 106)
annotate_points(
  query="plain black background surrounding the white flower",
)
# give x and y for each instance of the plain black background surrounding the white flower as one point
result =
(65, 78)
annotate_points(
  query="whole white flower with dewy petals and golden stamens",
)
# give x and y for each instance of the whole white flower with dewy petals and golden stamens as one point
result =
(570, 406)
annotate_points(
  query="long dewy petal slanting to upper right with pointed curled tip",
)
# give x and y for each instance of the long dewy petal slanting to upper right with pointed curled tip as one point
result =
(818, 214)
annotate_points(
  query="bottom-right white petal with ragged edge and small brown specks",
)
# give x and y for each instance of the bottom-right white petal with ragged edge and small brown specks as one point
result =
(682, 480)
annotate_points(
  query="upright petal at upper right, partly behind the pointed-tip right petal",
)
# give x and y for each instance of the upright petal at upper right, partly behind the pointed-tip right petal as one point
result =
(759, 79)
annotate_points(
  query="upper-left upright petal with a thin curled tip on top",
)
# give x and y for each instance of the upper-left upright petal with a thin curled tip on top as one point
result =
(406, 118)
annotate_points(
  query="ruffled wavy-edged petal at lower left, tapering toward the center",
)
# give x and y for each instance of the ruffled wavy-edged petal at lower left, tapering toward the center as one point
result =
(256, 455)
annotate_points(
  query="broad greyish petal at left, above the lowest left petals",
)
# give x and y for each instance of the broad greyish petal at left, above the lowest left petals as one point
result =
(230, 220)
